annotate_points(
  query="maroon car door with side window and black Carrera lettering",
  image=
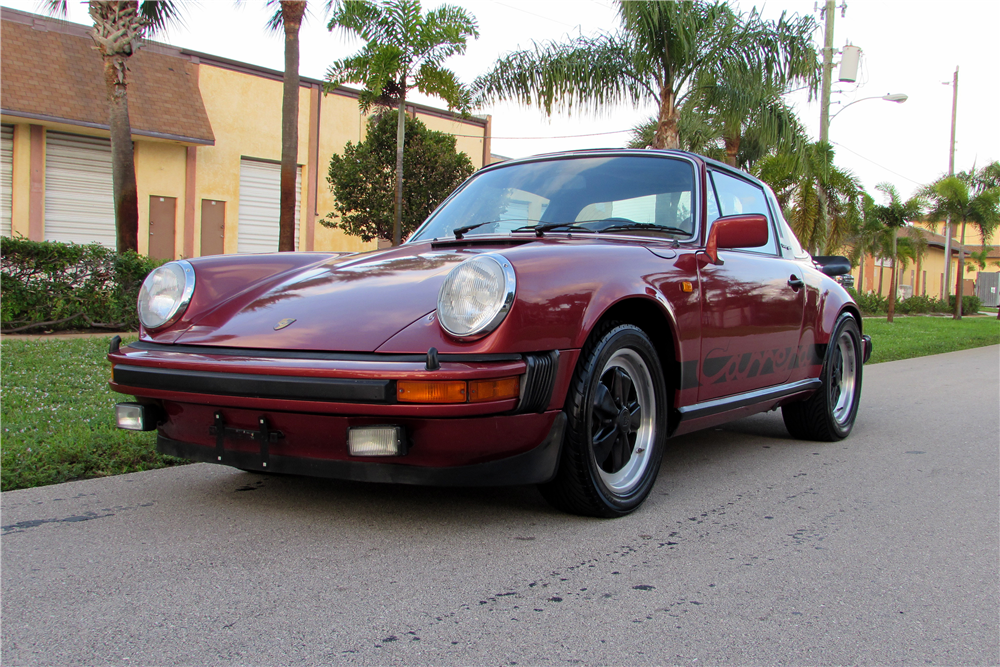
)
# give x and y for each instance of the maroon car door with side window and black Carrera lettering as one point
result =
(752, 303)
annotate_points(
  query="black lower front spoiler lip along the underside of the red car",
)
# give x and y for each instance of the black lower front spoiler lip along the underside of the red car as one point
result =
(536, 466)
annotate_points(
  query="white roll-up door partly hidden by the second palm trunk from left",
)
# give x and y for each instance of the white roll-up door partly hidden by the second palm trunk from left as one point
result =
(260, 206)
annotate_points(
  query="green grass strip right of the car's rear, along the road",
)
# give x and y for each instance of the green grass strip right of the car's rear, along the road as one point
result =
(920, 335)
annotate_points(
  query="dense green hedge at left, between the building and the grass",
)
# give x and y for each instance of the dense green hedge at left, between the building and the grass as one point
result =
(58, 286)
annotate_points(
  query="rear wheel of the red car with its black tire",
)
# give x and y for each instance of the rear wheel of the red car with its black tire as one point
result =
(828, 415)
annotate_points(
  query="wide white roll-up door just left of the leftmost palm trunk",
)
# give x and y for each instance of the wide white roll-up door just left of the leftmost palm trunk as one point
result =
(79, 198)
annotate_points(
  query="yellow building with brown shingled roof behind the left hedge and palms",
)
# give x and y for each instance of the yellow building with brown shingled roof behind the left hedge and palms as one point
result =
(207, 139)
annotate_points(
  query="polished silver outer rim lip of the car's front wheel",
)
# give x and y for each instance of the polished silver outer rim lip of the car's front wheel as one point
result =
(630, 476)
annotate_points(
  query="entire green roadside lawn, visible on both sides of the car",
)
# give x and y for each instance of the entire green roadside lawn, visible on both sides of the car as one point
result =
(57, 412)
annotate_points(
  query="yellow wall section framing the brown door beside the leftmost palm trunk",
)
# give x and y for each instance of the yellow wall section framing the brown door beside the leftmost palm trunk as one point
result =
(160, 172)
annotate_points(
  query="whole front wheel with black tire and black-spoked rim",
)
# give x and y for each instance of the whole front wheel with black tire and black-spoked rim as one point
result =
(617, 409)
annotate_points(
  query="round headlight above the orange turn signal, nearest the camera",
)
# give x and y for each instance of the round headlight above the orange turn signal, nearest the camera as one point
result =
(476, 296)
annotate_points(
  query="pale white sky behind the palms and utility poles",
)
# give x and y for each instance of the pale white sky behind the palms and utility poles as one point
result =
(909, 47)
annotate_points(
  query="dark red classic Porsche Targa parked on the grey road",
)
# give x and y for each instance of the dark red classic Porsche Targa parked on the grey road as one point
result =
(553, 322)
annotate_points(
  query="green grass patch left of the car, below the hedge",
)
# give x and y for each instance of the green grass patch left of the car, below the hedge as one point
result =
(57, 416)
